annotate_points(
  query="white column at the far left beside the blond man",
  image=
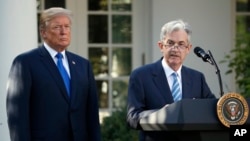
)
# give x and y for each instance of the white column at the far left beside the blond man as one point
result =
(18, 33)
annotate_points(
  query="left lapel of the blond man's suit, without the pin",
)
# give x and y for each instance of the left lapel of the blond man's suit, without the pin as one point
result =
(51, 66)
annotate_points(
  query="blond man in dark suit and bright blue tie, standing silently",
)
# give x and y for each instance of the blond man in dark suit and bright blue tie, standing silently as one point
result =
(40, 106)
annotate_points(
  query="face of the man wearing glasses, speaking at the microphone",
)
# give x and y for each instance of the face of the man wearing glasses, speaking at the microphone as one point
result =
(175, 48)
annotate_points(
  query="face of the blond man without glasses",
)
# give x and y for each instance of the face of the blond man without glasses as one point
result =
(58, 33)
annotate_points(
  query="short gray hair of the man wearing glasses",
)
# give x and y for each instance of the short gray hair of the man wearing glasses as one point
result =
(175, 26)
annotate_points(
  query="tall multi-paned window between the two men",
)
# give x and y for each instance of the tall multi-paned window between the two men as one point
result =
(110, 49)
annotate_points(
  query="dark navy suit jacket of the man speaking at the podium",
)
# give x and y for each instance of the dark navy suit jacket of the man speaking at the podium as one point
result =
(149, 90)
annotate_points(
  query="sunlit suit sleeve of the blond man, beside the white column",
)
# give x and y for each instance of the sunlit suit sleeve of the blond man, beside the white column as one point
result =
(18, 93)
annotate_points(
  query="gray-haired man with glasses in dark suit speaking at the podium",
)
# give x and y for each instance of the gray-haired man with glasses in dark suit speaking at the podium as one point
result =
(155, 85)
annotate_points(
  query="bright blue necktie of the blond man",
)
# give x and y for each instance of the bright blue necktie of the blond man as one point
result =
(63, 72)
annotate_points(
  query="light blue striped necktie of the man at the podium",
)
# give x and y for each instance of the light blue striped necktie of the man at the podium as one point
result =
(176, 91)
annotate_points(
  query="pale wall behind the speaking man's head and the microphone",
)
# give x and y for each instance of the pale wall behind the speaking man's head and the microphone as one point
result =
(211, 22)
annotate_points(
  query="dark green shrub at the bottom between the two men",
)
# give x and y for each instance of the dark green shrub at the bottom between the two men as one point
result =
(115, 128)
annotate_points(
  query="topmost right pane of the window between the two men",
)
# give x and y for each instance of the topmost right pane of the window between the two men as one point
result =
(121, 5)
